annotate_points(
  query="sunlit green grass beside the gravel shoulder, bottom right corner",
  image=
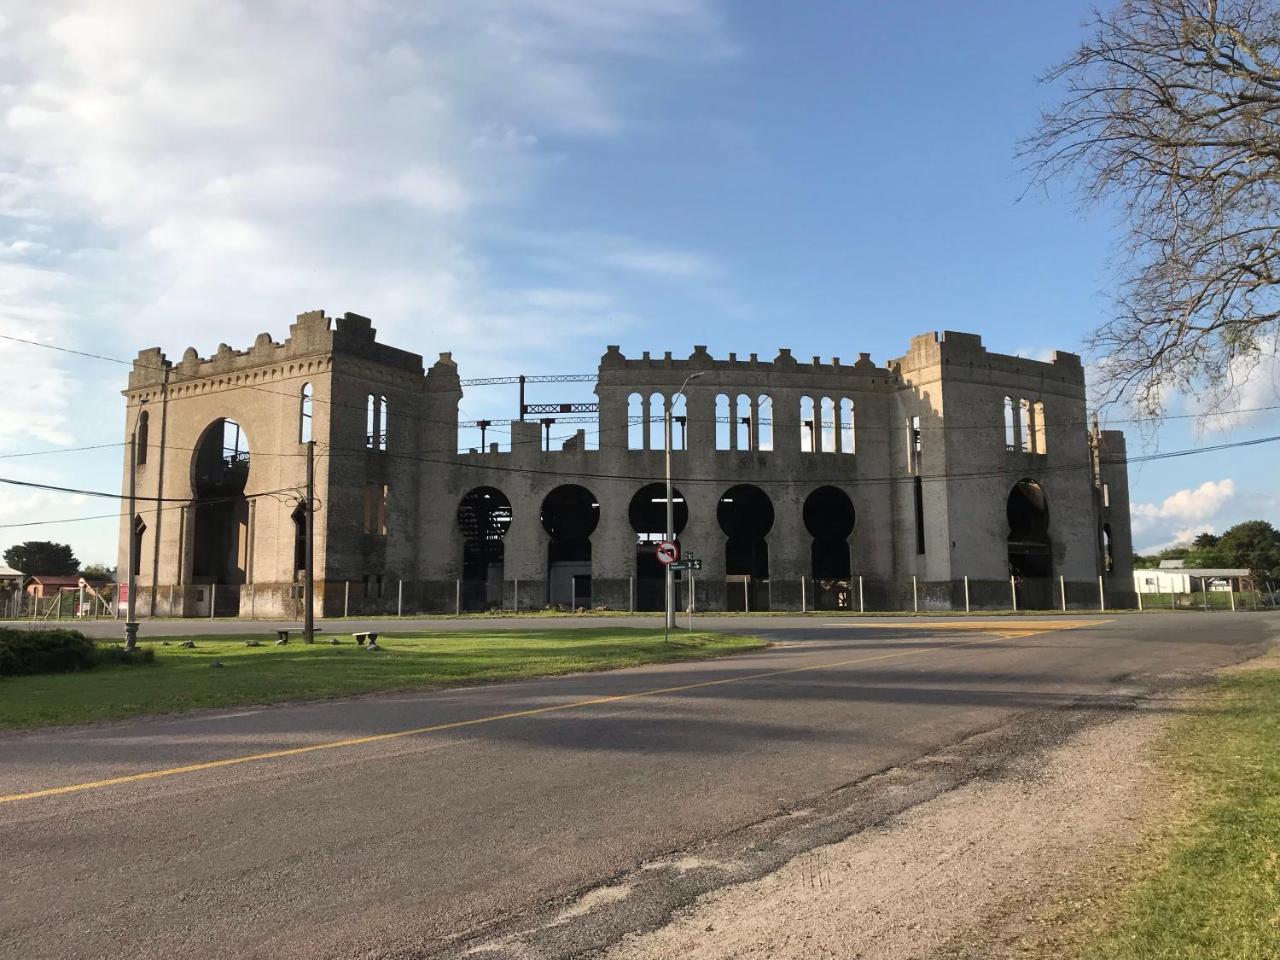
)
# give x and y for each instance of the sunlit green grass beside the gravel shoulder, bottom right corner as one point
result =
(1215, 893)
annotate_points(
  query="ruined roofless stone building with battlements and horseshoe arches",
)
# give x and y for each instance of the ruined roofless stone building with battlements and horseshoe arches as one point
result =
(931, 481)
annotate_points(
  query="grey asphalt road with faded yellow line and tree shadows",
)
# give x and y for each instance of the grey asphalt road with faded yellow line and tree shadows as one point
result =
(410, 825)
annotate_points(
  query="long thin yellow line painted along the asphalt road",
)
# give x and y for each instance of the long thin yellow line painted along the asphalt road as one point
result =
(458, 725)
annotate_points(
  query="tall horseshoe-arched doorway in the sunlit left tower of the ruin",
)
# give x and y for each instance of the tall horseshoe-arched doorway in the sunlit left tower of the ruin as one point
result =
(220, 474)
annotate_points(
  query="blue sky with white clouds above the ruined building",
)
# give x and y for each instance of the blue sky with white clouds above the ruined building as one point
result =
(524, 182)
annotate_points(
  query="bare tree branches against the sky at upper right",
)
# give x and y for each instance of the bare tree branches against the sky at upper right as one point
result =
(1173, 111)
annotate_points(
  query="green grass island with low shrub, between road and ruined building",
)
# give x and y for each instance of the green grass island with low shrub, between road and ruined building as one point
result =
(182, 679)
